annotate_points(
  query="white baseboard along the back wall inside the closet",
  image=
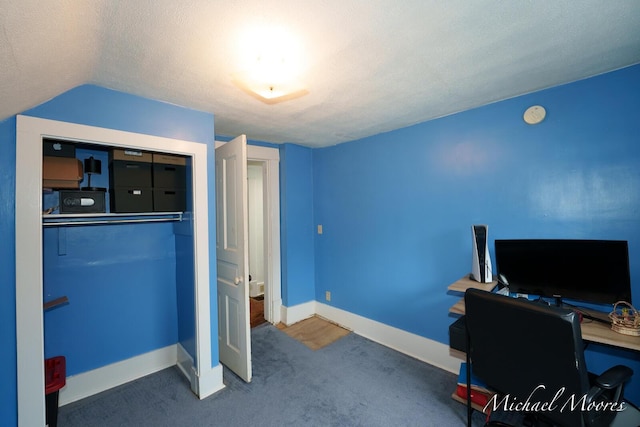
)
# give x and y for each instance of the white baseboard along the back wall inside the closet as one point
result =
(98, 380)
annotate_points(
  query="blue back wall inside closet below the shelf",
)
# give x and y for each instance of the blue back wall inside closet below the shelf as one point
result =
(121, 285)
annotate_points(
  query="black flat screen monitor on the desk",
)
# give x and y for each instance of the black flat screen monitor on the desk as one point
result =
(594, 271)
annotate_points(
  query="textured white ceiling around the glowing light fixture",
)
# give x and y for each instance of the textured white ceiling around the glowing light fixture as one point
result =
(370, 66)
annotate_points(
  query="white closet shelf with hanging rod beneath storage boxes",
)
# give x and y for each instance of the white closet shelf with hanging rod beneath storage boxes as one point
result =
(108, 218)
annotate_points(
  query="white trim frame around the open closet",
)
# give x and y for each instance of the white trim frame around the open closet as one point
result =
(28, 249)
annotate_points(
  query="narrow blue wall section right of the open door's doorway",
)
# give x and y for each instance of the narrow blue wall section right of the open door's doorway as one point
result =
(296, 224)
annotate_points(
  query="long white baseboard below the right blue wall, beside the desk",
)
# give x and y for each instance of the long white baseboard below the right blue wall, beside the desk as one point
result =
(432, 352)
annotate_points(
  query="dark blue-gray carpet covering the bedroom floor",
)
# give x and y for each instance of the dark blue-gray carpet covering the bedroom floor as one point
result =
(352, 382)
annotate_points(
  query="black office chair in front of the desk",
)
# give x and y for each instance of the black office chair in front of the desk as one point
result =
(528, 350)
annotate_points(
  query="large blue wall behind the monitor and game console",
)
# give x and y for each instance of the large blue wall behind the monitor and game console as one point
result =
(397, 207)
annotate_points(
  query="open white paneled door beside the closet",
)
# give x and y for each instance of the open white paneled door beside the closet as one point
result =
(233, 257)
